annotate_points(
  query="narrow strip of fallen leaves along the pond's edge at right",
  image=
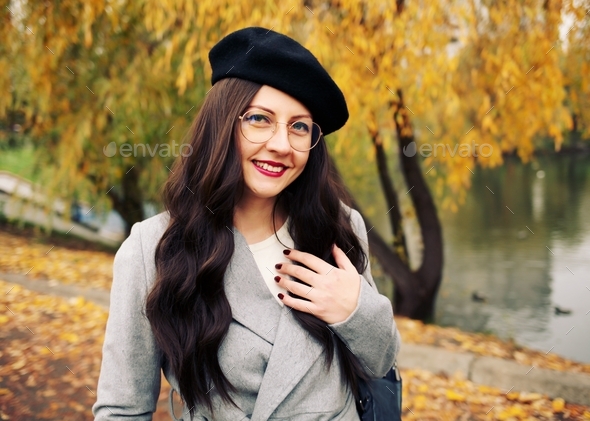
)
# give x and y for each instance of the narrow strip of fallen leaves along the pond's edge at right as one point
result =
(453, 339)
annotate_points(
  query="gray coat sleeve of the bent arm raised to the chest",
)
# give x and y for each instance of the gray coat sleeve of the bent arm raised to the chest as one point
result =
(370, 331)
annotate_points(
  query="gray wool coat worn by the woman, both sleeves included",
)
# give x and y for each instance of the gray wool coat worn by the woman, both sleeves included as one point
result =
(276, 366)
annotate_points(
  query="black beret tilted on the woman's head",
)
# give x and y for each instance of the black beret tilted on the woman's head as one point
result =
(269, 58)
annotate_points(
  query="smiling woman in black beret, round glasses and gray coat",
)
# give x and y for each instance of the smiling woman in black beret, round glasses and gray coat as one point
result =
(252, 292)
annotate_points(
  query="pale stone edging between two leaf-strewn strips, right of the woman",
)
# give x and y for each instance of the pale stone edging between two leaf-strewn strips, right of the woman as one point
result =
(506, 375)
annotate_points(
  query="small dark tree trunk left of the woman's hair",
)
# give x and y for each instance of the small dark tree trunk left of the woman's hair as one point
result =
(129, 203)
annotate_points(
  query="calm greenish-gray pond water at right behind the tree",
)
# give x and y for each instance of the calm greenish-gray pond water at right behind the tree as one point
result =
(522, 242)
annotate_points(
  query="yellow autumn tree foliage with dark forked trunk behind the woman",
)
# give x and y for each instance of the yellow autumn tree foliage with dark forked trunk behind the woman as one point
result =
(81, 79)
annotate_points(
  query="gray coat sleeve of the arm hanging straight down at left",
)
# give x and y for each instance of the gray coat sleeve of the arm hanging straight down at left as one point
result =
(129, 381)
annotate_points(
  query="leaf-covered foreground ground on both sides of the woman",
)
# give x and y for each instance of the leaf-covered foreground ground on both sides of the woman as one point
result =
(51, 354)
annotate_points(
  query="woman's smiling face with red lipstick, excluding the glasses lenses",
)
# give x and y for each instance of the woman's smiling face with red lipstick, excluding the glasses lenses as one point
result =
(260, 181)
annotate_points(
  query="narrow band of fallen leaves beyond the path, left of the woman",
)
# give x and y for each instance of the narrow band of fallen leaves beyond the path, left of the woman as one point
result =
(86, 268)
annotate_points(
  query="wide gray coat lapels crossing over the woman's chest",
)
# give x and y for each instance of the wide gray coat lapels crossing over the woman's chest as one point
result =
(294, 351)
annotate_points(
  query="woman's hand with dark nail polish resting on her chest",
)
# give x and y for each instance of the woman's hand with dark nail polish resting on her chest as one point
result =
(333, 291)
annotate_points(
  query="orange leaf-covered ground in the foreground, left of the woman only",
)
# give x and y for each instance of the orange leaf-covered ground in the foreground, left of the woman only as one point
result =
(50, 356)
